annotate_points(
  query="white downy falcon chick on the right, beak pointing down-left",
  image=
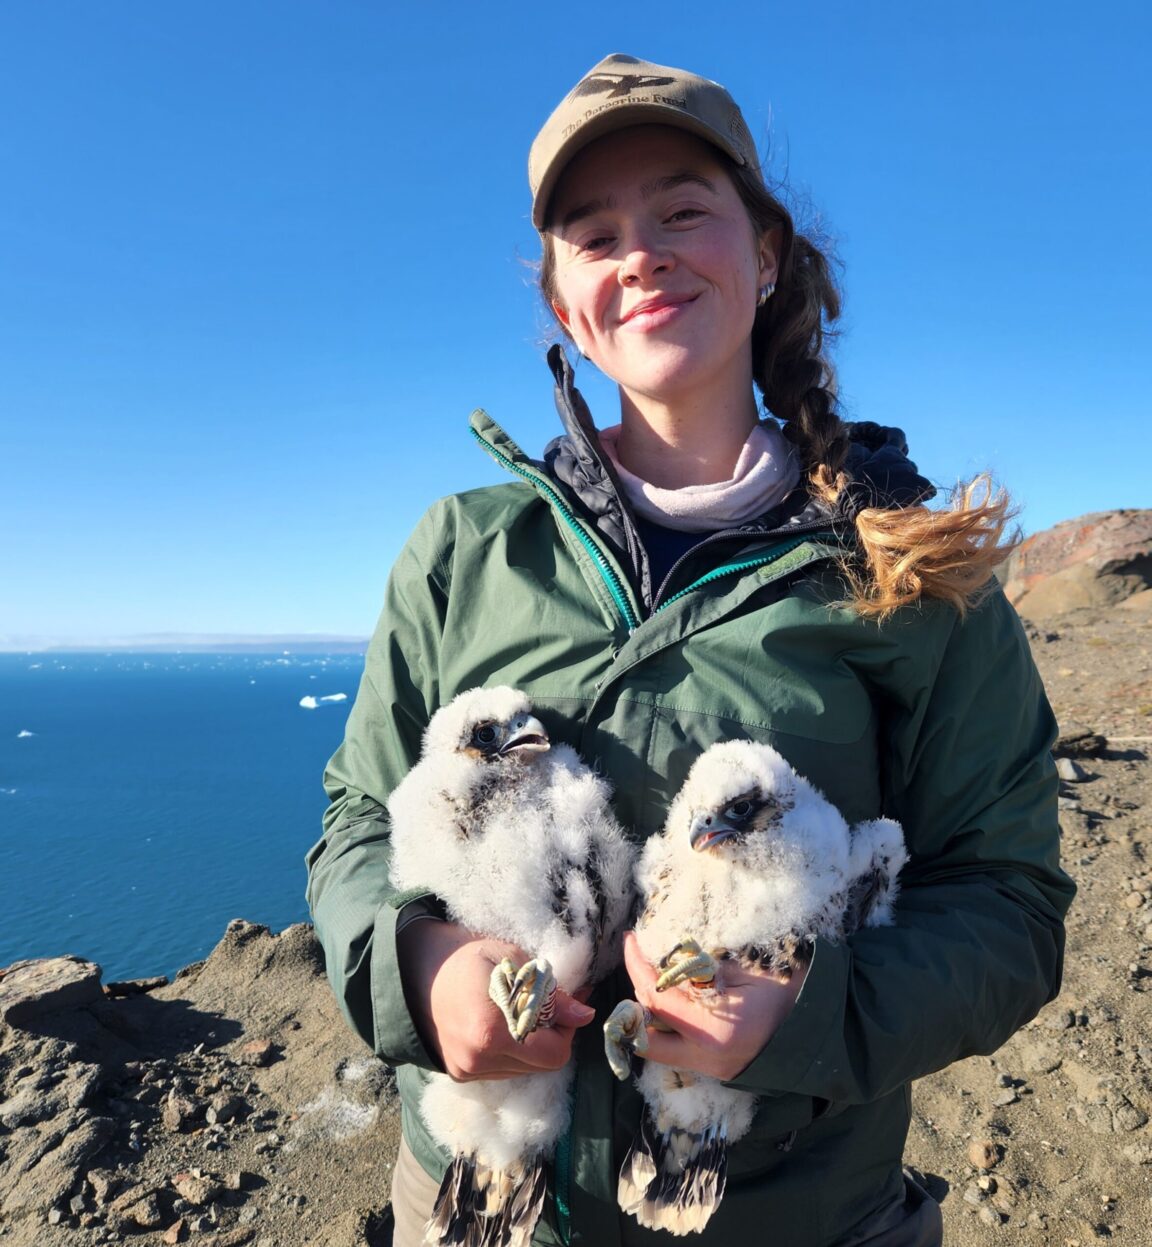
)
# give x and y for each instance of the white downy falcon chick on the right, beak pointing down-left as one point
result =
(754, 866)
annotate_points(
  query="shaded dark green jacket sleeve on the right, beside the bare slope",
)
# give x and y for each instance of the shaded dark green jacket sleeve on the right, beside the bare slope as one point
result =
(978, 942)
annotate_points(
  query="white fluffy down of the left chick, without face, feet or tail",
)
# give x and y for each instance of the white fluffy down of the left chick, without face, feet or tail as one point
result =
(498, 869)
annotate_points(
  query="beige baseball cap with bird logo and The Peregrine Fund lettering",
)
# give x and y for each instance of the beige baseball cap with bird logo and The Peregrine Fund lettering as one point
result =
(625, 92)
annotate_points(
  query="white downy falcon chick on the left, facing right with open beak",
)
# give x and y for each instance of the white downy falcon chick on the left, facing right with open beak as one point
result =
(518, 840)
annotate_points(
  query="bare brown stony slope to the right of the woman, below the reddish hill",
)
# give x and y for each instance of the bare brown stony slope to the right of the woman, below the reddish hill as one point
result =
(1048, 1142)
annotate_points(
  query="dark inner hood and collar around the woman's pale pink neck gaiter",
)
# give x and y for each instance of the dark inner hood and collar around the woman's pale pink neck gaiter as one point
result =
(881, 473)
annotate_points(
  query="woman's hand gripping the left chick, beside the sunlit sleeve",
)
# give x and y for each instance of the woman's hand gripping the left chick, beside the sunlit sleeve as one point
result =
(446, 971)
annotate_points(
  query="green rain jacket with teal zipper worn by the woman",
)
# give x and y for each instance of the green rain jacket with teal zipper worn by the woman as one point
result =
(936, 721)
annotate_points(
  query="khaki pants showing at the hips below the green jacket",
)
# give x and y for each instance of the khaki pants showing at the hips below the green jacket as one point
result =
(917, 1223)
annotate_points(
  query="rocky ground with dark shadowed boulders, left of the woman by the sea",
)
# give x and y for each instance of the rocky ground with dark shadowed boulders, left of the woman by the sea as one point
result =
(233, 1107)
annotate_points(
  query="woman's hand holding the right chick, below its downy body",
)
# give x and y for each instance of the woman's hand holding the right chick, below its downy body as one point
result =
(719, 1036)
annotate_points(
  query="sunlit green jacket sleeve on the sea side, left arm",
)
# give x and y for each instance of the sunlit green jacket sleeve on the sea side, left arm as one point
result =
(355, 906)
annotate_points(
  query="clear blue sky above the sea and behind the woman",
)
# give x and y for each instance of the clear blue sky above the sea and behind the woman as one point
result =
(259, 261)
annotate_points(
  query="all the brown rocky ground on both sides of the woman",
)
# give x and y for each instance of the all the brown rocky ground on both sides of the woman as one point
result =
(233, 1107)
